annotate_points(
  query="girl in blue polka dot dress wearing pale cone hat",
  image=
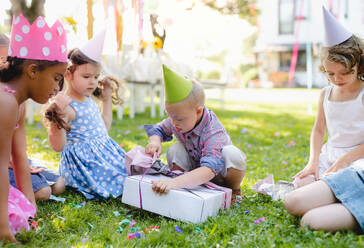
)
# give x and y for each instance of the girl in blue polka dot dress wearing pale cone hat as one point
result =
(91, 161)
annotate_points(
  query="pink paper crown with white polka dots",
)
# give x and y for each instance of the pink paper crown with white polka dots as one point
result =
(37, 41)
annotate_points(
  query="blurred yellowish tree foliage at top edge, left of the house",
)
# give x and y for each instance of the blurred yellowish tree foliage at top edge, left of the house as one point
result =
(246, 9)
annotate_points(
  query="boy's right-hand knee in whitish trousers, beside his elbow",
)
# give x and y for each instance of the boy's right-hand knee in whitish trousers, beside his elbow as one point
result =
(233, 157)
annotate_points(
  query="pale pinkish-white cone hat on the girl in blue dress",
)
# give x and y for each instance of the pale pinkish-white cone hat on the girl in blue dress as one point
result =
(94, 47)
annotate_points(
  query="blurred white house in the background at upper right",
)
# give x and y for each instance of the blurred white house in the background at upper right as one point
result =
(294, 28)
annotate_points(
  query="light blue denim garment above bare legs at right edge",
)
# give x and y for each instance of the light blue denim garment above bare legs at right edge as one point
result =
(348, 187)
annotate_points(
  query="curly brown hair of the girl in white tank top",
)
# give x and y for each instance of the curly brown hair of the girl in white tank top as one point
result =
(348, 53)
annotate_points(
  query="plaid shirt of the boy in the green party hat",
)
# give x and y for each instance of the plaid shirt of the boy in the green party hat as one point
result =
(203, 143)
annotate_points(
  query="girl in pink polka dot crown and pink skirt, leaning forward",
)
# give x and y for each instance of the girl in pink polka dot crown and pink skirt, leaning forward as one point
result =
(34, 67)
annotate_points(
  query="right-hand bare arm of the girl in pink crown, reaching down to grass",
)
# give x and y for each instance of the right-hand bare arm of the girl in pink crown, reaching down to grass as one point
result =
(20, 158)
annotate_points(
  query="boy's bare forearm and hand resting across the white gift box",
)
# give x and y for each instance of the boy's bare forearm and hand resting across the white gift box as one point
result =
(195, 177)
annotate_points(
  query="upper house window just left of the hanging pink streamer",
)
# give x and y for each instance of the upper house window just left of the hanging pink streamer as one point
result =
(286, 16)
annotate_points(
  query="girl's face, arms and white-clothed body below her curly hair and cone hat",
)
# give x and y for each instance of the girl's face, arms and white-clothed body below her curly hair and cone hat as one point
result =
(341, 112)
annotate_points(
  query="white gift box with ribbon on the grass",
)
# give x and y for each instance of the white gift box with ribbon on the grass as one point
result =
(193, 204)
